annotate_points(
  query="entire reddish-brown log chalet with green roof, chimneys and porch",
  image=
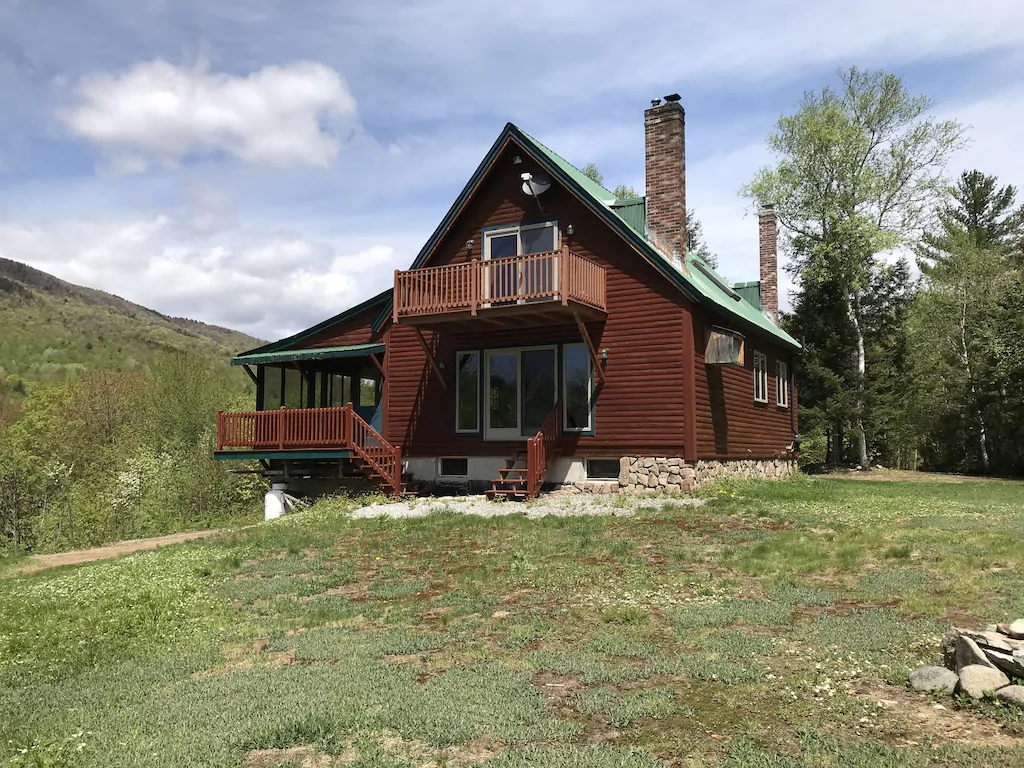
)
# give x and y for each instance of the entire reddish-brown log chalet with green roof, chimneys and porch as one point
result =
(547, 334)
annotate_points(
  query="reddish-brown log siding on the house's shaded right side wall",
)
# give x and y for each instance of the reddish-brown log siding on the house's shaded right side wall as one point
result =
(730, 423)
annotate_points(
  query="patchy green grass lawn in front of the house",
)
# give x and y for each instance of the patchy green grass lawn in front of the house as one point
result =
(773, 627)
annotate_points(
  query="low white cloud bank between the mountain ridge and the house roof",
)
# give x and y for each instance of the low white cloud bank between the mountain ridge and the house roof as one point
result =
(267, 284)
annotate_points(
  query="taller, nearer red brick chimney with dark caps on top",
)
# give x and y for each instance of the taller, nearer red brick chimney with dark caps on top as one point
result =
(666, 167)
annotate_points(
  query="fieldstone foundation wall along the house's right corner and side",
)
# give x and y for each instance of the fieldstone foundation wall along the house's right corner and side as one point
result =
(652, 475)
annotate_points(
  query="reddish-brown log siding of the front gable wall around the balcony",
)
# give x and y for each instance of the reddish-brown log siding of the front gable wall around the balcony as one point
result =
(639, 409)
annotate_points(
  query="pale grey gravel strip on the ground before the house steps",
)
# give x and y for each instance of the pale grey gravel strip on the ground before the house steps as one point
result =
(557, 505)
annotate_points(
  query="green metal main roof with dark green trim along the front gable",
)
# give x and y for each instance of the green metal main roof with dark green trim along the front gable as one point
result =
(622, 217)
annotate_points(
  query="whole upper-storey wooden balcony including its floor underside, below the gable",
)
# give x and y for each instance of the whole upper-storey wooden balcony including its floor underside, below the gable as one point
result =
(536, 289)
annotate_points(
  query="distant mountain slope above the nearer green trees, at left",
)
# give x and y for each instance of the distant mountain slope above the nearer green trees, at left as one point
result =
(51, 329)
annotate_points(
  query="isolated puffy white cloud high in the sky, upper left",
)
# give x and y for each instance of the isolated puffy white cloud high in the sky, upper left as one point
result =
(279, 116)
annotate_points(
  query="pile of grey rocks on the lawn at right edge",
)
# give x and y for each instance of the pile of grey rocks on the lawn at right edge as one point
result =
(979, 663)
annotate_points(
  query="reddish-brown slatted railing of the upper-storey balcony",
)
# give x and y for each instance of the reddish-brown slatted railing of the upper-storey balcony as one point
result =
(556, 276)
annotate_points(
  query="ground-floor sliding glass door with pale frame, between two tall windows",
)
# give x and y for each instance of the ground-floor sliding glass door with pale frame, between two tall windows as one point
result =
(522, 386)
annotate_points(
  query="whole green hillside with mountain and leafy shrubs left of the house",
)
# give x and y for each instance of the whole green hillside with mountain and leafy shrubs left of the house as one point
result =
(108, 417)
